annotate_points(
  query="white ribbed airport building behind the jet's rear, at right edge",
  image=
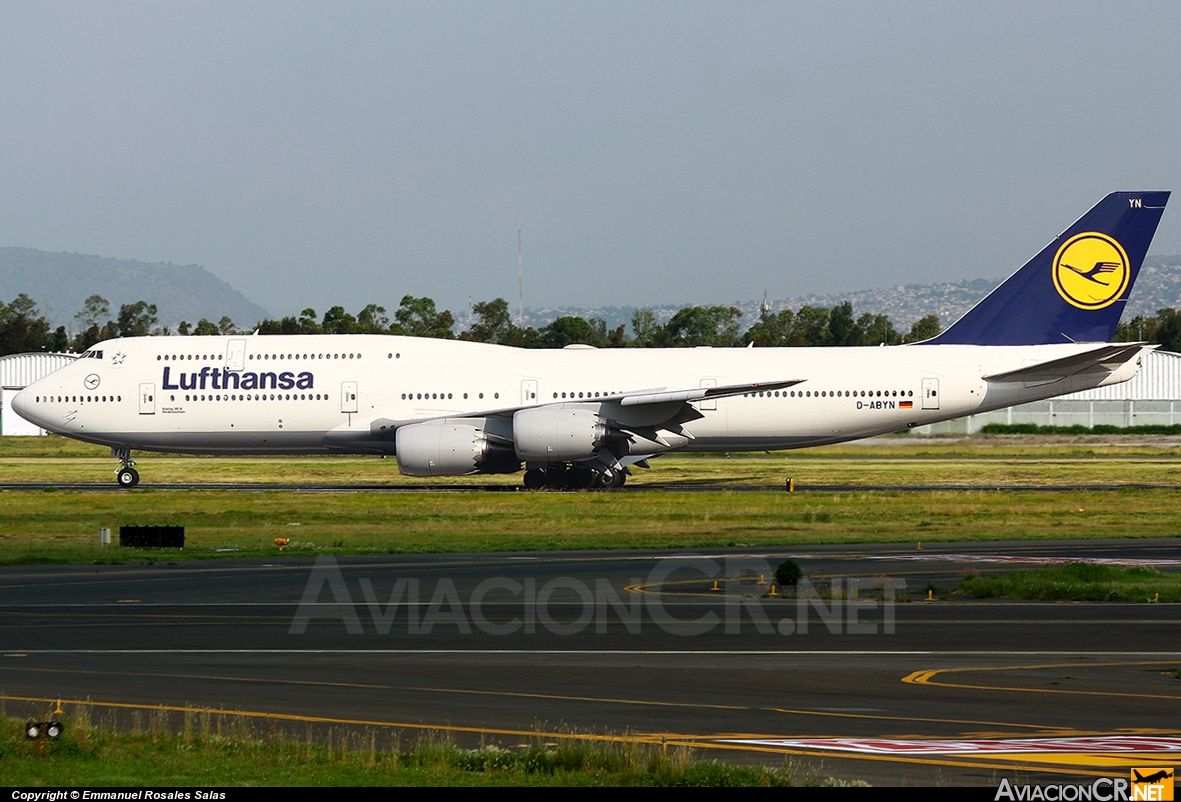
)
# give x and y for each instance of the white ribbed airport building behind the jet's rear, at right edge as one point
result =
(1152, 399)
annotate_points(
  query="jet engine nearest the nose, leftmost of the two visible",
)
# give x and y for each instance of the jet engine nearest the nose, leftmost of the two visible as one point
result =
(452, 448)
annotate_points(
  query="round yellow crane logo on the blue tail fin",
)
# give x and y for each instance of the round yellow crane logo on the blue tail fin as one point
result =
(1092, 271)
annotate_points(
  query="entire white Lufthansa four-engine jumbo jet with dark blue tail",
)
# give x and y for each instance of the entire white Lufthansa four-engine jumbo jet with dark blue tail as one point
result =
(579, 418)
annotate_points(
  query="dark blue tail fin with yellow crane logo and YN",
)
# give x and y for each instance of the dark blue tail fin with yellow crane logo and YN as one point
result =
(1076, 289)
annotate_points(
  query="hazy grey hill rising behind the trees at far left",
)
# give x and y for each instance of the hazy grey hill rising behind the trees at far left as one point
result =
(60, 283)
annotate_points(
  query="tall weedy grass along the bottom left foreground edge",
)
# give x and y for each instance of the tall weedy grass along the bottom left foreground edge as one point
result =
(205, 753)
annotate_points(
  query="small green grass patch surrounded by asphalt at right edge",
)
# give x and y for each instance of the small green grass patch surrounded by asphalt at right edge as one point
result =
(1078, 582)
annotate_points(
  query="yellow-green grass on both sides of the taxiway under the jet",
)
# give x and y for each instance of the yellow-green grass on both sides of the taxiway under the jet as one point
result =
(62, 526)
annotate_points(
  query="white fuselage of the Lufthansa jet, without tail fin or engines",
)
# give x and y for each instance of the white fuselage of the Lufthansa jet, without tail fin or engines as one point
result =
(321, 394)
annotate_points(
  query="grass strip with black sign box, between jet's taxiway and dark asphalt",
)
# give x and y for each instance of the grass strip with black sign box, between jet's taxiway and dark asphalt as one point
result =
(63, 527)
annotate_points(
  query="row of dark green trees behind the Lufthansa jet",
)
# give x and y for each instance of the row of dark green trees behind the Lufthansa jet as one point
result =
(24, 329)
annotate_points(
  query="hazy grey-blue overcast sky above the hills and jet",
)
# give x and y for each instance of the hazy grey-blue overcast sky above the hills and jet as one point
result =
(319, 154)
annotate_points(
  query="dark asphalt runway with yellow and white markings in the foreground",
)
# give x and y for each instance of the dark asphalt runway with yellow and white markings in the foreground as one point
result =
(501, 648)
